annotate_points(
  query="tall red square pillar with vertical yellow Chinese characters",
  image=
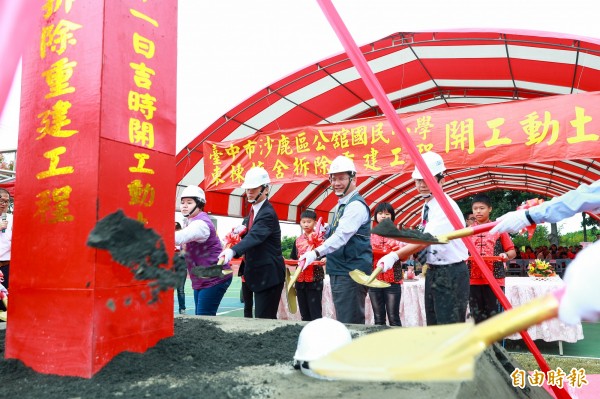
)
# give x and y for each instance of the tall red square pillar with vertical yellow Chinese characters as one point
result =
(97, 134)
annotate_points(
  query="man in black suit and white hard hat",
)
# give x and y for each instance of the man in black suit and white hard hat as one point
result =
(264, 269)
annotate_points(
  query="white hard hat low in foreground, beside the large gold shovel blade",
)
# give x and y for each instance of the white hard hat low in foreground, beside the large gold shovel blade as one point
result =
(320, 337)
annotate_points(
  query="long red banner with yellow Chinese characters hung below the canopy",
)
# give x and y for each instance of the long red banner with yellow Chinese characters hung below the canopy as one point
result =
(552, 128)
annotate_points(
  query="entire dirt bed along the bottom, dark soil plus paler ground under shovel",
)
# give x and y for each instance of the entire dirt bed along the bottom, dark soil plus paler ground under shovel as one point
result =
(234, 358)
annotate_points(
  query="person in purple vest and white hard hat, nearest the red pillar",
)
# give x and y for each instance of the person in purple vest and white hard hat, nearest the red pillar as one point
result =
(202, 247)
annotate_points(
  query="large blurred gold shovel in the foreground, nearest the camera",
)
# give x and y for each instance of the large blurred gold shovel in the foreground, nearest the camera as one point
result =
(438, 353)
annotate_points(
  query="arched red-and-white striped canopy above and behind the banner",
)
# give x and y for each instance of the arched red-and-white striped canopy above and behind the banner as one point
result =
(418, 71)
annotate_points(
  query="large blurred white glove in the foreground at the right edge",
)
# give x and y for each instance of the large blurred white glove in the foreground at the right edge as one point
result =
(581, 299)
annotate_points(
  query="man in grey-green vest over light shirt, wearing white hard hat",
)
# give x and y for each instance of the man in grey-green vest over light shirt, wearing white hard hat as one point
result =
(348, 244)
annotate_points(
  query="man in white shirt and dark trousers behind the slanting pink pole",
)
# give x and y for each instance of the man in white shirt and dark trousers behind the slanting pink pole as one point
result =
(447, 282)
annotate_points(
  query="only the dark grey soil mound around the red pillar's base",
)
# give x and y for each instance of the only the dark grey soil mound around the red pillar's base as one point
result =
(198, 361)
